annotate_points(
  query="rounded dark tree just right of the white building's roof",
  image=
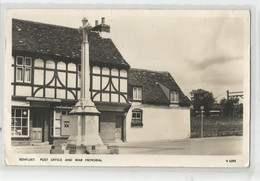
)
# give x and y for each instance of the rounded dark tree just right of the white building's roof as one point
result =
(200, 98)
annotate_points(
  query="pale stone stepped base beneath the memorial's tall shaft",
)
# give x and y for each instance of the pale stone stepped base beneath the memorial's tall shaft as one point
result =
(84, 136)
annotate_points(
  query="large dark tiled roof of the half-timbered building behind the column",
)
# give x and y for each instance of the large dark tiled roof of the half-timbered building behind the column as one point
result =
(65, 42)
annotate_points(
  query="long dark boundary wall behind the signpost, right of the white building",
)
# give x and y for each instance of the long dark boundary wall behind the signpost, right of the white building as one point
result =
(217, 126)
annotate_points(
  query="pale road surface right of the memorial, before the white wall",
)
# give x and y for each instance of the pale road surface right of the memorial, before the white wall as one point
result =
(229, 145)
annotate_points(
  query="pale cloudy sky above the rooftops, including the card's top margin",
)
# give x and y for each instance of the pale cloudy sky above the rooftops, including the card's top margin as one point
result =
(201, 49)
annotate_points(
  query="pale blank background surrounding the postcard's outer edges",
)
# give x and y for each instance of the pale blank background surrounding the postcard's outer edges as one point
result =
(150, 173)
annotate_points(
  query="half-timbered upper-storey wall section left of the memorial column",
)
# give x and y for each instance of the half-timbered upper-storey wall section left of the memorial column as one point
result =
(60, 81)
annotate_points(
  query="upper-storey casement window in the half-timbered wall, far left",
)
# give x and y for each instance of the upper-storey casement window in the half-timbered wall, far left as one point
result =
(23, 69)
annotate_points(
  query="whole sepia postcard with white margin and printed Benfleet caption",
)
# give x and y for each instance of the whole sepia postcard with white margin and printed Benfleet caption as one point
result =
(127, 87)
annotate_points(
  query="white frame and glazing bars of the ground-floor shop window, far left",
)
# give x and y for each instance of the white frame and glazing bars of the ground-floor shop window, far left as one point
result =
(21, 126)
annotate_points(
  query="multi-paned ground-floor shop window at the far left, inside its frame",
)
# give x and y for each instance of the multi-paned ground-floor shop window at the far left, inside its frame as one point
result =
(20, 122)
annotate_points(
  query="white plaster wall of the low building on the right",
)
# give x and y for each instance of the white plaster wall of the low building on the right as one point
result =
(159, 123)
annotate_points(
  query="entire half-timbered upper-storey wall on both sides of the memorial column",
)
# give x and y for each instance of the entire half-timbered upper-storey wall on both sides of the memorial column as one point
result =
(57, 79)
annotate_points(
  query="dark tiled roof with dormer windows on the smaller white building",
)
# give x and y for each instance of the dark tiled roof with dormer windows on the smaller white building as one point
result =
(152, 83)
